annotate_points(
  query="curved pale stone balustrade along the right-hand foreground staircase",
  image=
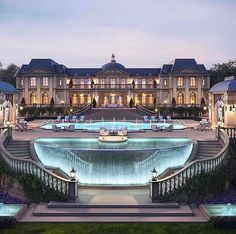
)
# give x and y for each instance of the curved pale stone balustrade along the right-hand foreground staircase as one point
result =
(161, 189)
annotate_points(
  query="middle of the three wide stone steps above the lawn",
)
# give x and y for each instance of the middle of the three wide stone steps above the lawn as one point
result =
(43, 210)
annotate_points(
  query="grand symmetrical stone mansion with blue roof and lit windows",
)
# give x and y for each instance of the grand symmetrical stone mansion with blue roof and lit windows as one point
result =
(43, 81)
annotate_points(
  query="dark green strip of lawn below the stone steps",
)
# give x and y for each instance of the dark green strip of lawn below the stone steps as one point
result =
(86, 228)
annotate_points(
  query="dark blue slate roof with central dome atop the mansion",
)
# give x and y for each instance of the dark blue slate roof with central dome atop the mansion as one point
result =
(50, 66)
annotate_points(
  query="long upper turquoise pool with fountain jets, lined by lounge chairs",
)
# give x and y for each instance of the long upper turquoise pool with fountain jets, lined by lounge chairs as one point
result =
(113, 125)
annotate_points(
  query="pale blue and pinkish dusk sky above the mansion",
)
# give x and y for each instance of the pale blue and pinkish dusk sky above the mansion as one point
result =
(141, 33)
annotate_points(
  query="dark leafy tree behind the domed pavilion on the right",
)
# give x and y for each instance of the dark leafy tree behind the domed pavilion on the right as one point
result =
(219, 71)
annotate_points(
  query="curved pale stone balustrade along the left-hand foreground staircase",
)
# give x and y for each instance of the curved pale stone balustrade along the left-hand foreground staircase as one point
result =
(28, 166)
